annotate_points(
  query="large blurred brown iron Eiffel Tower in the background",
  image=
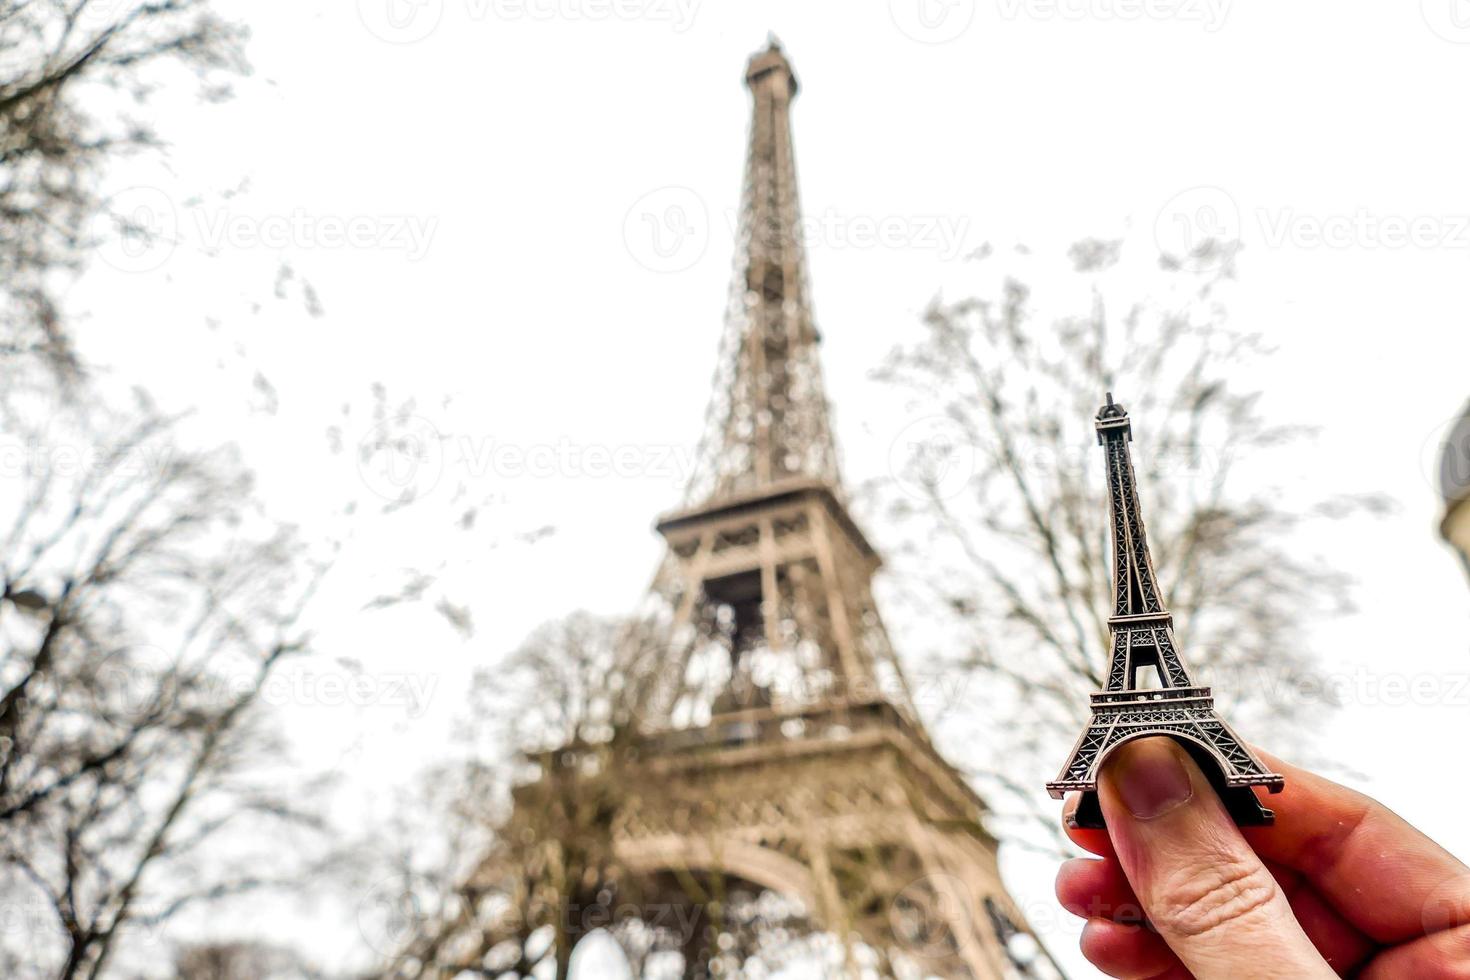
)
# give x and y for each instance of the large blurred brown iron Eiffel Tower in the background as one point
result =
(777, 749)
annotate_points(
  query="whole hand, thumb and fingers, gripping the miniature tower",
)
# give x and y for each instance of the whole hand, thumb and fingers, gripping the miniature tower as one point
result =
(1338, 885)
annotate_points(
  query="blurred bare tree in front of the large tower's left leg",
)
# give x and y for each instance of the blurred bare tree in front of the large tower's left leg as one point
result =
(498, 897)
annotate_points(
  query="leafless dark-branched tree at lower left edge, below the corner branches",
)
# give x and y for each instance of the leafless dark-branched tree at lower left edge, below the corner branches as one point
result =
(146, 606)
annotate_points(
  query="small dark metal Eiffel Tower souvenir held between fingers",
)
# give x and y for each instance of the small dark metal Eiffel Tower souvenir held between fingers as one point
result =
(1144, 646)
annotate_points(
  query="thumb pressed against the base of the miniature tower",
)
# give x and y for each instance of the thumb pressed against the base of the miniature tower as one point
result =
(1200, 884)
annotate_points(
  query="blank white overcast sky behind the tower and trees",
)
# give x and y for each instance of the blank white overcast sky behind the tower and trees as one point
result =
(506, 168)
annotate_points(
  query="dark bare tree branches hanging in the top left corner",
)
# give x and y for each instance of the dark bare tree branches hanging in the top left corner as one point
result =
(74, 79)
